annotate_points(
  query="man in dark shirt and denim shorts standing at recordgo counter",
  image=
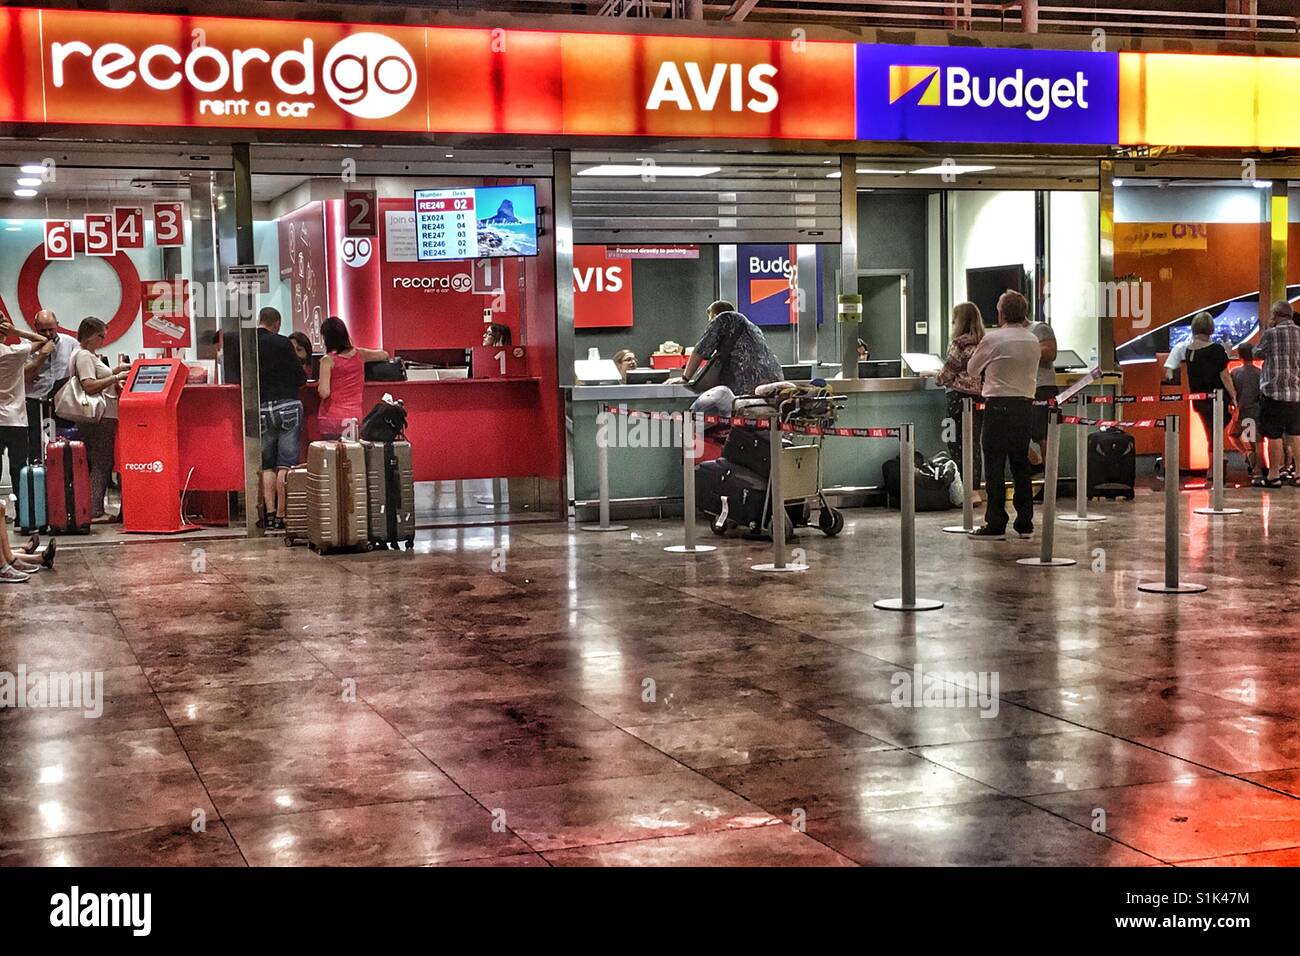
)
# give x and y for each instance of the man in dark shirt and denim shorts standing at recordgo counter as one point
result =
(280, 377)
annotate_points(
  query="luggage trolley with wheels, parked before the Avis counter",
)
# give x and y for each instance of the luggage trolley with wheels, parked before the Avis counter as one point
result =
(801, 465)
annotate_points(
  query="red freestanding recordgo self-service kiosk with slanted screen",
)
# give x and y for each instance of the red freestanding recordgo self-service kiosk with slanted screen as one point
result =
(149, 449)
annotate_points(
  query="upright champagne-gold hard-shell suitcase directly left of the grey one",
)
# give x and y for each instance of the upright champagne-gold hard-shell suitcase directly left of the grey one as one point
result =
(337, 504)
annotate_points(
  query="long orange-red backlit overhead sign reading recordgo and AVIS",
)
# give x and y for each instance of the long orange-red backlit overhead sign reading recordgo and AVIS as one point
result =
(214, 72)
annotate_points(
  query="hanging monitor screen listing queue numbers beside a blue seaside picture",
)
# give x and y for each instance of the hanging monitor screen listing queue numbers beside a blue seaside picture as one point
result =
(475, 223)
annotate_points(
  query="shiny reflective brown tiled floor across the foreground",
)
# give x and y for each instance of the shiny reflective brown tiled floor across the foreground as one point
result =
(536, 697)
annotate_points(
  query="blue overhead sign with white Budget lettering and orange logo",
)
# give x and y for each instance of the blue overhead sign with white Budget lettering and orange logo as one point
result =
(970, 96)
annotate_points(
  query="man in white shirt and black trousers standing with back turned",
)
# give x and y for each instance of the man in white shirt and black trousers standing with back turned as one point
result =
(1008, 361)
